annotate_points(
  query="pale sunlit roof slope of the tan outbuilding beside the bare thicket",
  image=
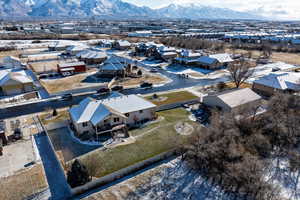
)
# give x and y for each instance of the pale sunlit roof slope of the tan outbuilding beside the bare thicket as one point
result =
(238, 97)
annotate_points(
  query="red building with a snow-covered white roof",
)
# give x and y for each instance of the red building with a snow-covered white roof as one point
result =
(74, 67)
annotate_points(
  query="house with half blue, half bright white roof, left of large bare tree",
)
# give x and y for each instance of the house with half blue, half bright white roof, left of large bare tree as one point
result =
(215, 61)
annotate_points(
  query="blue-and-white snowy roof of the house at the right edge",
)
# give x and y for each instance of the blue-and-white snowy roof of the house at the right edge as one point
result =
(281, 80)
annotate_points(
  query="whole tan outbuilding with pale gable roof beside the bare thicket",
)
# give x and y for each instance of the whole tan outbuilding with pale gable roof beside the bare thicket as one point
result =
(233, 100)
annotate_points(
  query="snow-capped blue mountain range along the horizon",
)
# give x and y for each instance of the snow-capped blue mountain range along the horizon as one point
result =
(113, 8)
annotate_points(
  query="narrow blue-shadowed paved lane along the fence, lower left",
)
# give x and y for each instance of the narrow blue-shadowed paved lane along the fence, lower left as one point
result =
(56, 179)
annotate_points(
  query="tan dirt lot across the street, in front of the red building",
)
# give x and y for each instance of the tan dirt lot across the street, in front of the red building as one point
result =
(69, 83)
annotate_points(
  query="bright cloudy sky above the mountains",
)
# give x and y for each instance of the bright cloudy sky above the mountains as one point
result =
(279, 9)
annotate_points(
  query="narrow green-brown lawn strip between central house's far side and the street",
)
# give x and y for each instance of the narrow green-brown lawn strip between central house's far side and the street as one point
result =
(173, 97)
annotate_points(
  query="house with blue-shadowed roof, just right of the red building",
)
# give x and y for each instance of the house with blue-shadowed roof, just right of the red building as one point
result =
(115, 66)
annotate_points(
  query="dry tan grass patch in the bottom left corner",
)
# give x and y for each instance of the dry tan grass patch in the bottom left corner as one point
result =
(23, 184)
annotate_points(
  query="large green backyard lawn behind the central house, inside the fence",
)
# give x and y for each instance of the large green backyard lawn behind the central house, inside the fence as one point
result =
(153, 139)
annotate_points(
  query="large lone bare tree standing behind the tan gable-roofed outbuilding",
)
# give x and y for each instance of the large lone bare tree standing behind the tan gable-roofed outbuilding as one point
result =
(240, 72)
